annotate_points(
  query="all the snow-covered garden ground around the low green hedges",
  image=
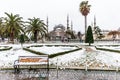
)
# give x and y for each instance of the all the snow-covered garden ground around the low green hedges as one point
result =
(88, 56)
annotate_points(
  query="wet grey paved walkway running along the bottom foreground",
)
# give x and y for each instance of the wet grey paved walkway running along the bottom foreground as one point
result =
(62, 75)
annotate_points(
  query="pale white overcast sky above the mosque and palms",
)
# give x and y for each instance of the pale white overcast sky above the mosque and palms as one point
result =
(107, 12)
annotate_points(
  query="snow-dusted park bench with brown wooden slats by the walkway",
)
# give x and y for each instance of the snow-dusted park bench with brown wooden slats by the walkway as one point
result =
(31, 62)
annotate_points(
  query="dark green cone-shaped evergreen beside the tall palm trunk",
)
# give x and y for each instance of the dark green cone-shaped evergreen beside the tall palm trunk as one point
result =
(89, 36)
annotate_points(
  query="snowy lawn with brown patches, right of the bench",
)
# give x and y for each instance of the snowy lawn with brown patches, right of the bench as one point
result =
(92, 59)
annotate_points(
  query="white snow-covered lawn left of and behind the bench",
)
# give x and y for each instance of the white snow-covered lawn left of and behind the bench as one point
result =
(8, 57)
